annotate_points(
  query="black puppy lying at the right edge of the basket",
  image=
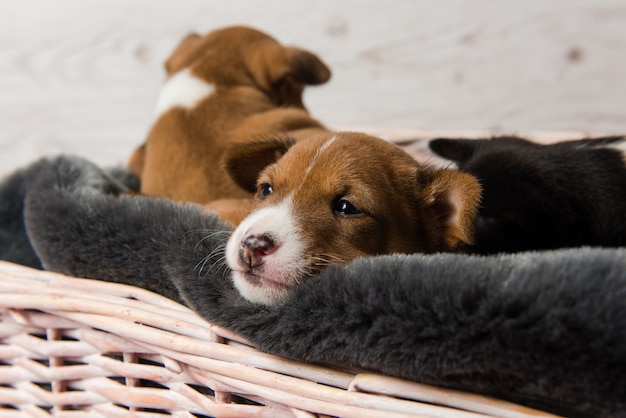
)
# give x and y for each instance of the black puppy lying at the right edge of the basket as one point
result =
(566, 194)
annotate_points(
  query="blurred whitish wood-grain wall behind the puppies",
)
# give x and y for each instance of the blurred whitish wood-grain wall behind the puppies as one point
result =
(82, 76)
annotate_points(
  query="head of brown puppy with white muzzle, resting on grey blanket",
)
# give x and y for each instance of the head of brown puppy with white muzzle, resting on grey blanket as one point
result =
(333, 197)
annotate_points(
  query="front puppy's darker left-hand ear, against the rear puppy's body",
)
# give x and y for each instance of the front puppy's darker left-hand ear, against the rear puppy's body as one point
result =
(245, 161)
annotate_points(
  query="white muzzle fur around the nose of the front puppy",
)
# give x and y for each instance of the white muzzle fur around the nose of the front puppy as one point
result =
(283, 265)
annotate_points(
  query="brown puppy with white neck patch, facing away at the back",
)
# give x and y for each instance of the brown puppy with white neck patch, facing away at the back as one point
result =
(230, 86)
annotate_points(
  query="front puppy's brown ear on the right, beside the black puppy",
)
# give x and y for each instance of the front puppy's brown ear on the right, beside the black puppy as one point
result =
(450, 202)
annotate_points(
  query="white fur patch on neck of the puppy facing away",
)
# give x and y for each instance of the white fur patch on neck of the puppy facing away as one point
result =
(182, 89)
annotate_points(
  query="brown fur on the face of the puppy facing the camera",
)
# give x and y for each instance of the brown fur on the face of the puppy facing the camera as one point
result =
(408, 207)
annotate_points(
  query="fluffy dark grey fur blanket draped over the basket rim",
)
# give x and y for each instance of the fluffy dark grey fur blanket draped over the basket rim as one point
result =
(545, 329)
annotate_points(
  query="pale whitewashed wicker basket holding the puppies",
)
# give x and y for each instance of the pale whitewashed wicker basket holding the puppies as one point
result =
(82, 348)
